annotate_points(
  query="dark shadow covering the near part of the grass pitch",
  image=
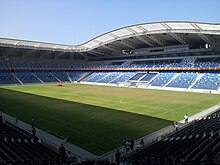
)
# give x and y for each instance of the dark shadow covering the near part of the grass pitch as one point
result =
(97, 129)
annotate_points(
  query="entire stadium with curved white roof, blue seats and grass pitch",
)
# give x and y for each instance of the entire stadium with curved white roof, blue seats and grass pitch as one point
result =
(132, 84)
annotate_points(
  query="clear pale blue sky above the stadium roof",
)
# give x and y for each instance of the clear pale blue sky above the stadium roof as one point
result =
(74, 22)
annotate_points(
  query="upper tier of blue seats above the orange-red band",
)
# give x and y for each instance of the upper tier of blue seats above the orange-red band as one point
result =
(56, 64)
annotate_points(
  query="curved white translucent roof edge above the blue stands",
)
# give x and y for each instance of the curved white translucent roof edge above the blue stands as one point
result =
(119, 34)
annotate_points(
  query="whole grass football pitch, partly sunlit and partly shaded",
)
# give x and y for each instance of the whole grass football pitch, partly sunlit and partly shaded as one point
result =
(98, 118)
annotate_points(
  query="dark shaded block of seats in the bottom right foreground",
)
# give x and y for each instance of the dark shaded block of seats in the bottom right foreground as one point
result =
(197, 143)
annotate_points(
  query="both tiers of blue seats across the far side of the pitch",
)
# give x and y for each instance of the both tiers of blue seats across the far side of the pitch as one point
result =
(209, 81)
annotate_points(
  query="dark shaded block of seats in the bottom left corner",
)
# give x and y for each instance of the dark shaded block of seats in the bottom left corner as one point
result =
(18, 147)
